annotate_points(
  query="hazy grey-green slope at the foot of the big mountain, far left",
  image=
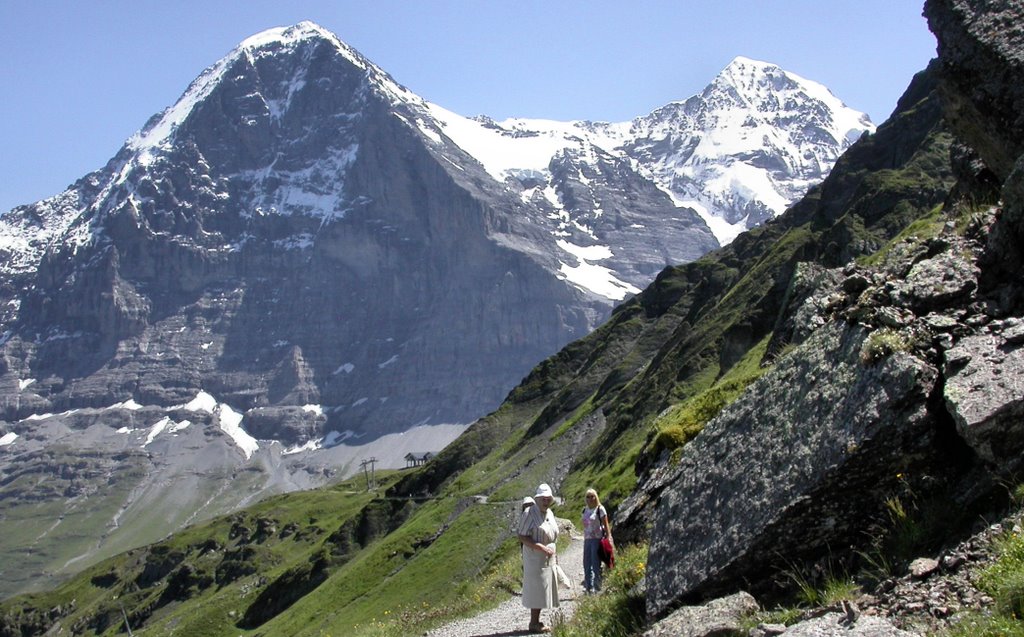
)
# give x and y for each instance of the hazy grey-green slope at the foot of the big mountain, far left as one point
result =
(58, 525)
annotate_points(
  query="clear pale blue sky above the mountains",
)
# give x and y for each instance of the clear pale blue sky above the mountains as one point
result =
(78, 77)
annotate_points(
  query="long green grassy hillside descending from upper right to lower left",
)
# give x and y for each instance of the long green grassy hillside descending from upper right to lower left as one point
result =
(663, 365)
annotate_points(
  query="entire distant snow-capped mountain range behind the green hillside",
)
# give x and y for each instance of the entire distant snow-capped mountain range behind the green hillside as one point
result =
(302, 265)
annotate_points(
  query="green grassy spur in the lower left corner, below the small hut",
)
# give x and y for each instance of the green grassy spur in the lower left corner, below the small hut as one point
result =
(215, 565)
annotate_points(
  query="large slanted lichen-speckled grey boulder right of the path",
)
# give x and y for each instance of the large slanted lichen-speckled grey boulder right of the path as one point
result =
(824, 455)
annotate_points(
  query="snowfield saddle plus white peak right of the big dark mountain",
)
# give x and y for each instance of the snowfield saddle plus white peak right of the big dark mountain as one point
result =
(739, 153)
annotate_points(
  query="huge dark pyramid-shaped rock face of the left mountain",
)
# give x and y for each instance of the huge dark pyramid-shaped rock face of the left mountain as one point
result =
(292, 243)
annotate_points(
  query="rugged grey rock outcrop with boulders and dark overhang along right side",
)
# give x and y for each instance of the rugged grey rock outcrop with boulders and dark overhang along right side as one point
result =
(910, 383)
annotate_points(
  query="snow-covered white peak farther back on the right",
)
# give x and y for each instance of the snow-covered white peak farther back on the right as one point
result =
(748, 146)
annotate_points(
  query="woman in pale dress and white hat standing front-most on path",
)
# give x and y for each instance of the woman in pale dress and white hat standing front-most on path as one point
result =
(538, 533)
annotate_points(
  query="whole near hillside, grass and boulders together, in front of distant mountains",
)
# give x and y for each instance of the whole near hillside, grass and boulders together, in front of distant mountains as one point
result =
(759, 412)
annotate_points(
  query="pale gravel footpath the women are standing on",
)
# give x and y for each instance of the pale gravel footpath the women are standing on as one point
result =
(510, 618)
